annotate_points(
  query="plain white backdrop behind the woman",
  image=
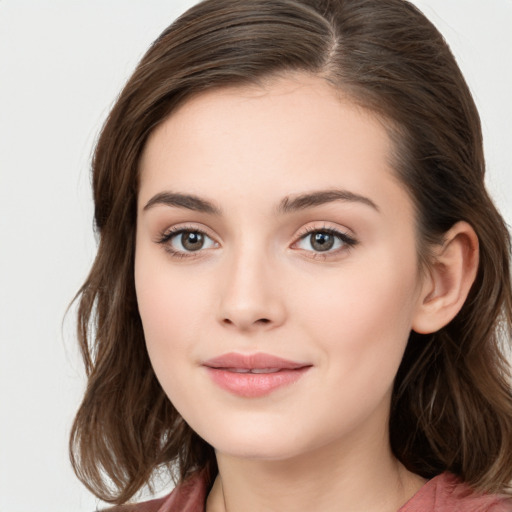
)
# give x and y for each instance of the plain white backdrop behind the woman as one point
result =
(62, 62)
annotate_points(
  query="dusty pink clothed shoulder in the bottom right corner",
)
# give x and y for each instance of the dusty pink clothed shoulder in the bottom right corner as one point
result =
(446, 493)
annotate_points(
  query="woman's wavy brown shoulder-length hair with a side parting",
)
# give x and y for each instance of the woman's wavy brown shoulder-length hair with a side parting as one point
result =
(452, 402)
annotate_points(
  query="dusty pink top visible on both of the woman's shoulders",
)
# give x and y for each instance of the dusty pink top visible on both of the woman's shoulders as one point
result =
(444, 493)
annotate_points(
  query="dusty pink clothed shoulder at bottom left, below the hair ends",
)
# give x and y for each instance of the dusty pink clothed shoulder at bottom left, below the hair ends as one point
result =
(189, 496)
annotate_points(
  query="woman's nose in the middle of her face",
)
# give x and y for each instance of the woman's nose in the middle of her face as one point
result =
(252, 294)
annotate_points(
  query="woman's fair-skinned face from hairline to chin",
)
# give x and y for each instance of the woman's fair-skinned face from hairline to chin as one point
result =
(276, 268)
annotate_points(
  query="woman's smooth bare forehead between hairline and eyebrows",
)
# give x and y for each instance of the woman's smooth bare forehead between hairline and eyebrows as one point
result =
(279, 138)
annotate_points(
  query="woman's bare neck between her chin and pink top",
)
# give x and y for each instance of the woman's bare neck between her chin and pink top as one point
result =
(351, 477)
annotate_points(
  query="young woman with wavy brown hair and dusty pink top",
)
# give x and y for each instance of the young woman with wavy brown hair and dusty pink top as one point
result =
(302, 296)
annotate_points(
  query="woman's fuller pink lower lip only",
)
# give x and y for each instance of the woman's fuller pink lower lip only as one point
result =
(252, 385)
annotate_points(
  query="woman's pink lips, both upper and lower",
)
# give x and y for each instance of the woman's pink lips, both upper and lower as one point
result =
(253, 375)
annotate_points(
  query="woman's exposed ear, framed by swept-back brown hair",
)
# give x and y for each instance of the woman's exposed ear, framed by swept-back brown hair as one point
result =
(449, 280)
